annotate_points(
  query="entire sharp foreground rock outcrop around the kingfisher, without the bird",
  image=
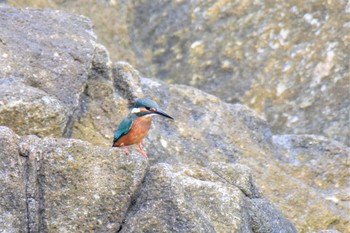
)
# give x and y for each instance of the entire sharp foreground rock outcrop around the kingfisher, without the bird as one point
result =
(198, 163)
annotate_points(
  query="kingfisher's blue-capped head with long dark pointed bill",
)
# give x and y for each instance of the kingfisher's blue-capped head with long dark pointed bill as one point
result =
(147, 107)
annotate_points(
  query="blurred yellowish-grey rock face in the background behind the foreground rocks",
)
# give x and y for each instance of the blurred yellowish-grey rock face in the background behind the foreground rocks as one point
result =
(288, 61)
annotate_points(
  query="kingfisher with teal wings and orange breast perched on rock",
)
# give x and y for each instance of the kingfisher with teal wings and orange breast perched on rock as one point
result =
(133, 128)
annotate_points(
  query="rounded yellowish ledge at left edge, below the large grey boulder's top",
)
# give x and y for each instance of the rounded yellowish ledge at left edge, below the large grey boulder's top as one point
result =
(28, 110)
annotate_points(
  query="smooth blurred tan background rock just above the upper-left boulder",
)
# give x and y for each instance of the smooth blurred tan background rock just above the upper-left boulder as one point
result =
(109, 18)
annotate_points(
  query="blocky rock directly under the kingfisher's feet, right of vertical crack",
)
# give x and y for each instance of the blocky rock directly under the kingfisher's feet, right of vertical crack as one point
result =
(93, 184)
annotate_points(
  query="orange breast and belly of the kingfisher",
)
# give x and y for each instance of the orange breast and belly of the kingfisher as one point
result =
(138, 131)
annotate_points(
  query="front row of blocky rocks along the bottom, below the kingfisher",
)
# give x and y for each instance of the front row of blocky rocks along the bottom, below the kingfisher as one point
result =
(68, 185)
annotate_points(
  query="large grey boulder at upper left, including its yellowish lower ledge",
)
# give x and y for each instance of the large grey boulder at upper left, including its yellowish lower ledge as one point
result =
(43, 50)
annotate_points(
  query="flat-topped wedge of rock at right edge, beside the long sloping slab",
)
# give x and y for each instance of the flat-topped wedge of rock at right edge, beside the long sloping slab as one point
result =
(323, 164)
